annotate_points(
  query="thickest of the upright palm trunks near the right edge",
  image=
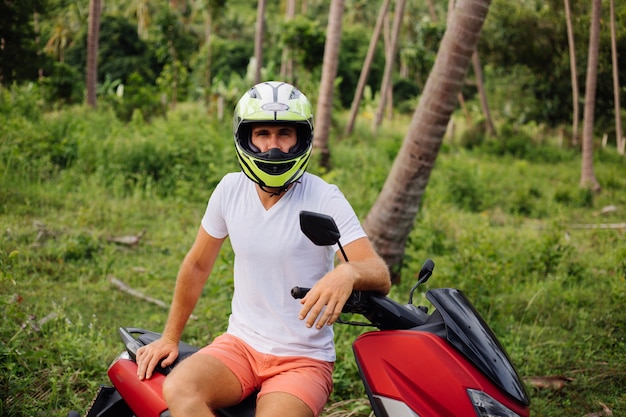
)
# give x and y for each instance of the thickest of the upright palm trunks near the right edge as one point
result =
(587, 177)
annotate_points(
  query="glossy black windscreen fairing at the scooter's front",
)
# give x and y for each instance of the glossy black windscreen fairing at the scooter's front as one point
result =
(470, 335)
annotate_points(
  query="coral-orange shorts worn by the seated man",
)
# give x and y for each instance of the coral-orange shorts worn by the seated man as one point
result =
(308, 379)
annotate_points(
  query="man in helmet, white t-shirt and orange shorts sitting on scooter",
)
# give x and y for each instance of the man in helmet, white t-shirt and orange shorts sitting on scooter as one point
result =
(281, 347)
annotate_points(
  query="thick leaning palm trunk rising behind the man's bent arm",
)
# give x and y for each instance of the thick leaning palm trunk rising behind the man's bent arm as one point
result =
(390, 220)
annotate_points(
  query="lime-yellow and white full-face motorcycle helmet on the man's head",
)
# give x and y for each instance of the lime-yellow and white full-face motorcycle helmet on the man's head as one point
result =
(273, 103)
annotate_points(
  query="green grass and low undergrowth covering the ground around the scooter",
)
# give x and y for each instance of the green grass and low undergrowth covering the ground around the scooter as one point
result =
(501, 224)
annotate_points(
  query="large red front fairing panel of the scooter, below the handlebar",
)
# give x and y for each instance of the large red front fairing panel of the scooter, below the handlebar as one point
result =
(422, 370)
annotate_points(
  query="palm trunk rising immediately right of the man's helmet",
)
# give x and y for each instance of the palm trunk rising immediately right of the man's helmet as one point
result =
(327, 84)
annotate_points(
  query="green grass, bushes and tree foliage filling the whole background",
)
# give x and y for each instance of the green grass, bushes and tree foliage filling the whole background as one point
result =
(91, 198)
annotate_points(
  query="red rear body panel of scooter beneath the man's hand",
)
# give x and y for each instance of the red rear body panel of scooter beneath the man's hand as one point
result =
(143, 397)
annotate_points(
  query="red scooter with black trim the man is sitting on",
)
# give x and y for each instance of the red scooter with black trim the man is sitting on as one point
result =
(448, 363)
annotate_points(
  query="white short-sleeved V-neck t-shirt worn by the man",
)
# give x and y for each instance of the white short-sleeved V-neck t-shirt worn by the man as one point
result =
(272, 255)
